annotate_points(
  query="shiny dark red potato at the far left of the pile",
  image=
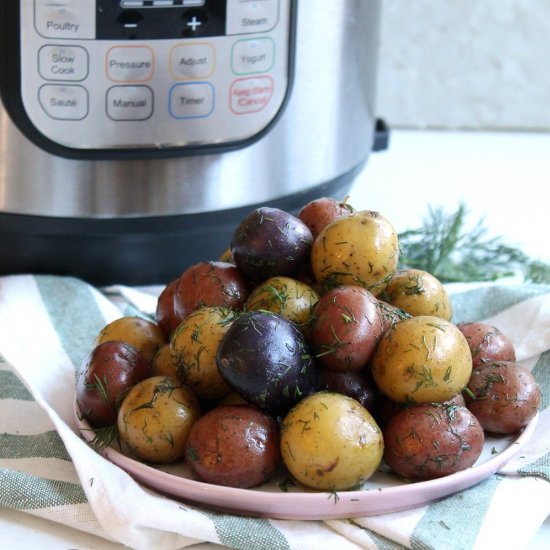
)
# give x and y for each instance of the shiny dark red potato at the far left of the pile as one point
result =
(105, 376)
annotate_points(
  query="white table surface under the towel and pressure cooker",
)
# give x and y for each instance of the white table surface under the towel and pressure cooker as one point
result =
(502, 177)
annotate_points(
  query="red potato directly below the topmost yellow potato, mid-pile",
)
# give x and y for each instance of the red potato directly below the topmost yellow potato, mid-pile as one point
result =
(346, 327)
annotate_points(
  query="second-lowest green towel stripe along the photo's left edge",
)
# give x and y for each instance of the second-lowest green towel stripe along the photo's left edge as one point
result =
(46, 445)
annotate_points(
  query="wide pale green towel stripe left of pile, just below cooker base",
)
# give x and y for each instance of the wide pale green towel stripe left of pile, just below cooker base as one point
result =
(74, 313)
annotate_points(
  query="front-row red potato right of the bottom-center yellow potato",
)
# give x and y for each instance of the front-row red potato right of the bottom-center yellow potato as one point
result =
(432, 440)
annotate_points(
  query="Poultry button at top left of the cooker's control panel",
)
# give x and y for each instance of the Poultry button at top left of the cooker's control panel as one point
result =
(65, 18)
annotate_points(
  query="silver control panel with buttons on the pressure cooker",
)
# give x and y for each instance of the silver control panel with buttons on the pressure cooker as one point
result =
(157, 74)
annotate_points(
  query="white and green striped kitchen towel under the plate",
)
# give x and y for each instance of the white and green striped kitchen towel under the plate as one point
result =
(47, 326)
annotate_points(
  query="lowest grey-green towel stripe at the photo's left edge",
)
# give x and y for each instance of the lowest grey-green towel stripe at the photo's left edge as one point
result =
(27, 492)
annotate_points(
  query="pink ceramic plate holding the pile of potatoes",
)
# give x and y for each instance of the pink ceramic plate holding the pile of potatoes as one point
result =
(383, 493)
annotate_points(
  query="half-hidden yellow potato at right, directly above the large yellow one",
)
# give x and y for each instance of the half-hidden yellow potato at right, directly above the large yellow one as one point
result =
(419, 293)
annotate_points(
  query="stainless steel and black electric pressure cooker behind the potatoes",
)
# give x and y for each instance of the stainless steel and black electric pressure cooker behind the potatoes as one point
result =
(136, 134)
